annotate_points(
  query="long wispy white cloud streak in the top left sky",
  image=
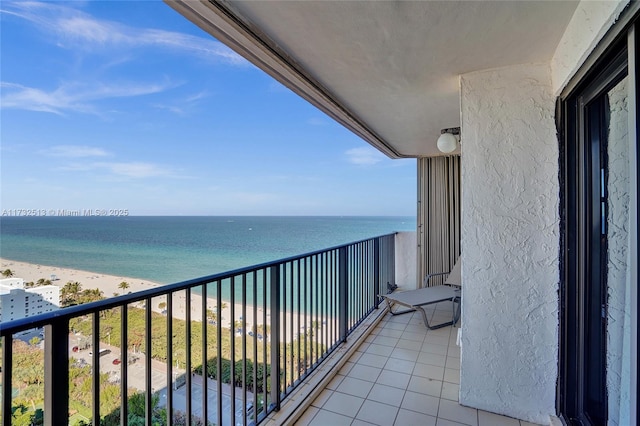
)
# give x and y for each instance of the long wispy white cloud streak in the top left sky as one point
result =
(75, 29)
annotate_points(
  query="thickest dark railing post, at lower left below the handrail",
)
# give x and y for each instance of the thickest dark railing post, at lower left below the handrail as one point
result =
(56, 371)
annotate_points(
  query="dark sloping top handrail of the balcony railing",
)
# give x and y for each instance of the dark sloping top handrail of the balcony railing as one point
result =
(22, 324)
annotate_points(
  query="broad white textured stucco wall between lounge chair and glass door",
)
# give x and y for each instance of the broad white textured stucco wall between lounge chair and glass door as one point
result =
(510, 242)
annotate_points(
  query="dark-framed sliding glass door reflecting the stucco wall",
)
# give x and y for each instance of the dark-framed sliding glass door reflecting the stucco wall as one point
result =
(596, 365)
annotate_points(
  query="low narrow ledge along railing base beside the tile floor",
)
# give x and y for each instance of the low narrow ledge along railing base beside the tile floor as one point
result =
(295, 405)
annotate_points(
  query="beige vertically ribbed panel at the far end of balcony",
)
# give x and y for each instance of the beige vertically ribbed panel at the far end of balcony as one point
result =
(438, 216)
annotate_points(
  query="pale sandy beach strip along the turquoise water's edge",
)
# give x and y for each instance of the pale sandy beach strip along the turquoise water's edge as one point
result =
(109, 284)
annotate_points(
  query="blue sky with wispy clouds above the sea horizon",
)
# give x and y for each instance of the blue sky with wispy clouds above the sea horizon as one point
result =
(127, 105)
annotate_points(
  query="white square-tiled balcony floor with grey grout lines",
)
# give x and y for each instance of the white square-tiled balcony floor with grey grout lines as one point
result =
(401, 375)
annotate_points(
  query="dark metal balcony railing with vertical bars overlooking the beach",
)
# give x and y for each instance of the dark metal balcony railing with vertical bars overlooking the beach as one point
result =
(169, 365)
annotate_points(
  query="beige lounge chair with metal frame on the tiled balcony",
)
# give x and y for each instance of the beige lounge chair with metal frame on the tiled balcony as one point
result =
(415, 300)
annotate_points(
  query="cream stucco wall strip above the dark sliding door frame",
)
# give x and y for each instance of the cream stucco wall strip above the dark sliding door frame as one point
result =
(589, 23)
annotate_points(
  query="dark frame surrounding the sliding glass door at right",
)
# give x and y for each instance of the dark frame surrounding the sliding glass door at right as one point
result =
(602, 75)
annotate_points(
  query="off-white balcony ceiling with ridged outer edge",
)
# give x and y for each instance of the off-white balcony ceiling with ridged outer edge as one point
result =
(386, 70)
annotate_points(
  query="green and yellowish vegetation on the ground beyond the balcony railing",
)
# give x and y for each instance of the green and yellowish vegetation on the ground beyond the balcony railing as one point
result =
(28, 362)
